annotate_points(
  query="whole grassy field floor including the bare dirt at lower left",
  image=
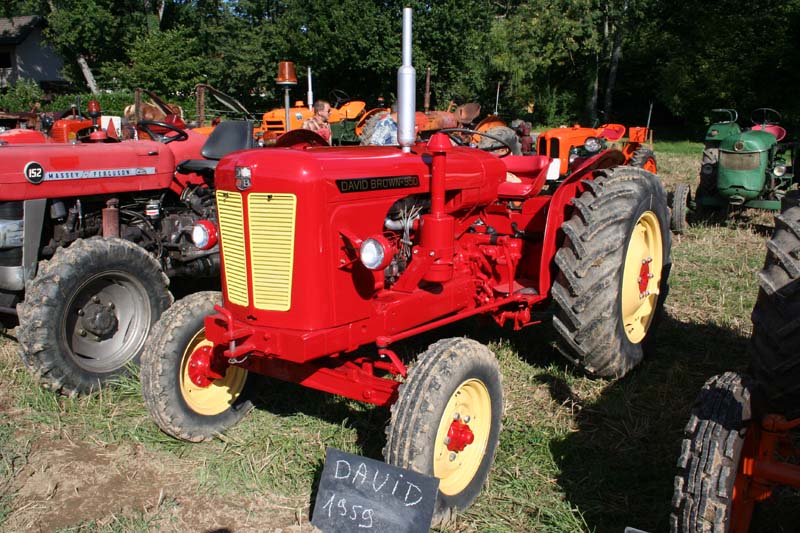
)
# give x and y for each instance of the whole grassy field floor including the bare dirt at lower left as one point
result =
(576, 454)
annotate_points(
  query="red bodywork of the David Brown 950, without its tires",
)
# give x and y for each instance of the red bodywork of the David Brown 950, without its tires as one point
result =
(458, 267)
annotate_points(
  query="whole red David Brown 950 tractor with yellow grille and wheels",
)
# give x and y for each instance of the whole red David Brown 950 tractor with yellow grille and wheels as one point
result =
(326, 250)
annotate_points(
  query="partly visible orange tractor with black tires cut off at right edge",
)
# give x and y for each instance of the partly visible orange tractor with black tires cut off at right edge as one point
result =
(740, 443)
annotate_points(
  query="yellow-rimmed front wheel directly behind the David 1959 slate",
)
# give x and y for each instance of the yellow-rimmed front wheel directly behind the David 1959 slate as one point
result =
(454, 390)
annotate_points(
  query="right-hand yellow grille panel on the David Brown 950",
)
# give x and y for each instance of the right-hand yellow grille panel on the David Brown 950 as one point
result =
(272, 220)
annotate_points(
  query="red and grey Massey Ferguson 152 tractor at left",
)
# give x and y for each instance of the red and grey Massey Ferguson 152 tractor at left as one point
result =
(91, 231)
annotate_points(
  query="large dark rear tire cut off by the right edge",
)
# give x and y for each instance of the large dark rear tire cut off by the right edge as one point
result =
(775, 342)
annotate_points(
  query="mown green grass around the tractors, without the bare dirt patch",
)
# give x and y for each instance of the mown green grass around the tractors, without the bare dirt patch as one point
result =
(575, 454)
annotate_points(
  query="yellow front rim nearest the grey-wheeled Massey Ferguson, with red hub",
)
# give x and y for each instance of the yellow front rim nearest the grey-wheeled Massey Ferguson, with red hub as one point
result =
(220, 394)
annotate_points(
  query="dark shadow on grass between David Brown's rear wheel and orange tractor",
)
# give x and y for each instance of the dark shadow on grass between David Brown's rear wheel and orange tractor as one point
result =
(617, 469)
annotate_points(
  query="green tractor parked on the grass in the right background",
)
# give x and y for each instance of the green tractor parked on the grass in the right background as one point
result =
(748, 168)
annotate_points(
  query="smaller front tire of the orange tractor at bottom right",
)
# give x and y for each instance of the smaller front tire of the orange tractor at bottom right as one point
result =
(710, 456)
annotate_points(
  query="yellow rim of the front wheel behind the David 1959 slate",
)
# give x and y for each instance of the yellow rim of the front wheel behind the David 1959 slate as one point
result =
(472, 405)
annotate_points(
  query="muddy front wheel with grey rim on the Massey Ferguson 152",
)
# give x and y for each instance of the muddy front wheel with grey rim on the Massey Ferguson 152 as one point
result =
(88, 312)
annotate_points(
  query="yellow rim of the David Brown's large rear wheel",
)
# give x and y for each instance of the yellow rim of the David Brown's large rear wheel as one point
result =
(641, 278)
